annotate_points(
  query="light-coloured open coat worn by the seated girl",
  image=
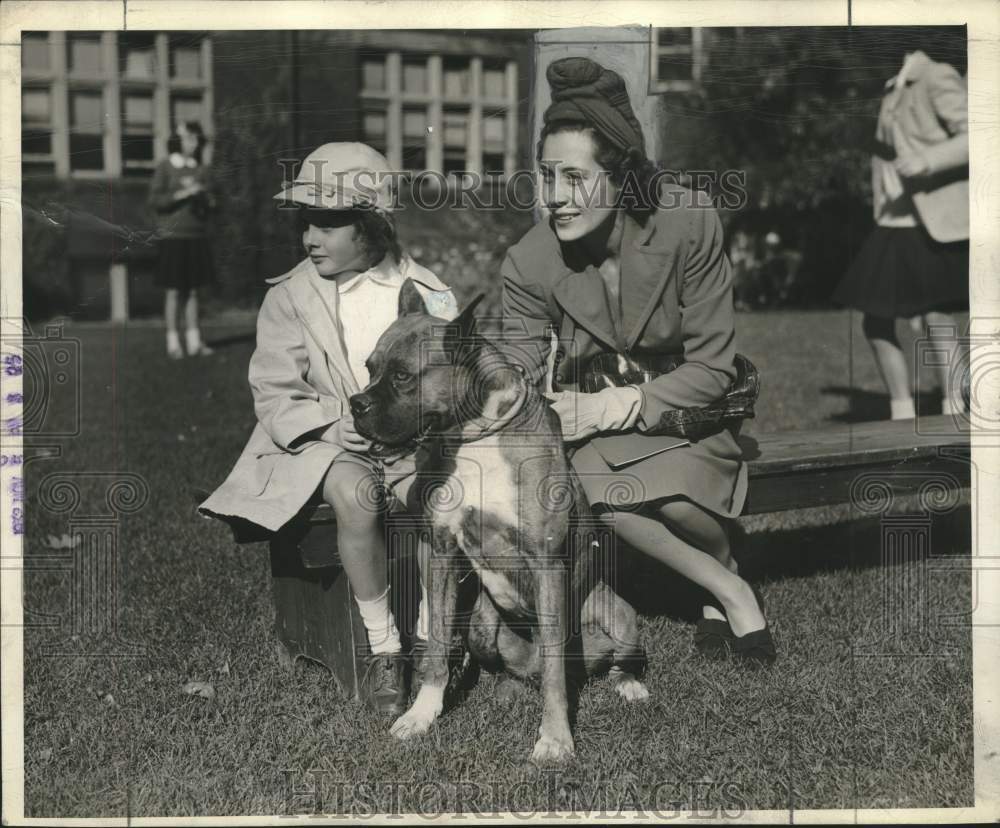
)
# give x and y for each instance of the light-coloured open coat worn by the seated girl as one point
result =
(301, 383)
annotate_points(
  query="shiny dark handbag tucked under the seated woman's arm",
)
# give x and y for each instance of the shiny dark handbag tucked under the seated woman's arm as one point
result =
(614, 370)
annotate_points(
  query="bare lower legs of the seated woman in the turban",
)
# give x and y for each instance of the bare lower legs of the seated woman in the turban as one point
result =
(711, 568)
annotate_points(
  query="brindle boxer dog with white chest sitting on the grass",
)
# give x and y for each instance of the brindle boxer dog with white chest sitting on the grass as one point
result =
(498, 495)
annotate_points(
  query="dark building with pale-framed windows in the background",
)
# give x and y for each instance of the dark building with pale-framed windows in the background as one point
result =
(97, 109)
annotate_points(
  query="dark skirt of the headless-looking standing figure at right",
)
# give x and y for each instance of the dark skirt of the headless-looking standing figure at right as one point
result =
(902, 271)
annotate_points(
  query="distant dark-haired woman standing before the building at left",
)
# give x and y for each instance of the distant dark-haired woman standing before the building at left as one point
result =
(179, 194)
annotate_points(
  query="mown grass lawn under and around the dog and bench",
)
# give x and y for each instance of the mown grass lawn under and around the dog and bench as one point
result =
(850, 717)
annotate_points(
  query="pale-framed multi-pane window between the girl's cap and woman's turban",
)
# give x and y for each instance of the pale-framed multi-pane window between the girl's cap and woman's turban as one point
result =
(446, 113)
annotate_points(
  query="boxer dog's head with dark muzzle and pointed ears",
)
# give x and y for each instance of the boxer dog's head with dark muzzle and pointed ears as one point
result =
(417, 380)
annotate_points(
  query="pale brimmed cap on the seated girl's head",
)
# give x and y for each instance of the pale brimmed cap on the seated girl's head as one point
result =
(342, 176)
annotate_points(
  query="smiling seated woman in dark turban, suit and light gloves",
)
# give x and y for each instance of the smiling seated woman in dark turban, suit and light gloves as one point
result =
(615, 273)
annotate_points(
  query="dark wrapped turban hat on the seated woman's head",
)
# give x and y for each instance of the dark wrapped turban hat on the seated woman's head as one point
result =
(583, 90)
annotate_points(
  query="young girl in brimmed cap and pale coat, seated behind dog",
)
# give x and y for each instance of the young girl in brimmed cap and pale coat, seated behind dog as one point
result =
(317, 326)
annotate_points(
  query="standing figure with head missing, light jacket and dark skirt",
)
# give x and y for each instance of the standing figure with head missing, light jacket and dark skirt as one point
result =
(916, 262)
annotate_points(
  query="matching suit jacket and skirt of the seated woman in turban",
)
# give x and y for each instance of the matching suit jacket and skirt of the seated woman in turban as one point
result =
(676, 299)
